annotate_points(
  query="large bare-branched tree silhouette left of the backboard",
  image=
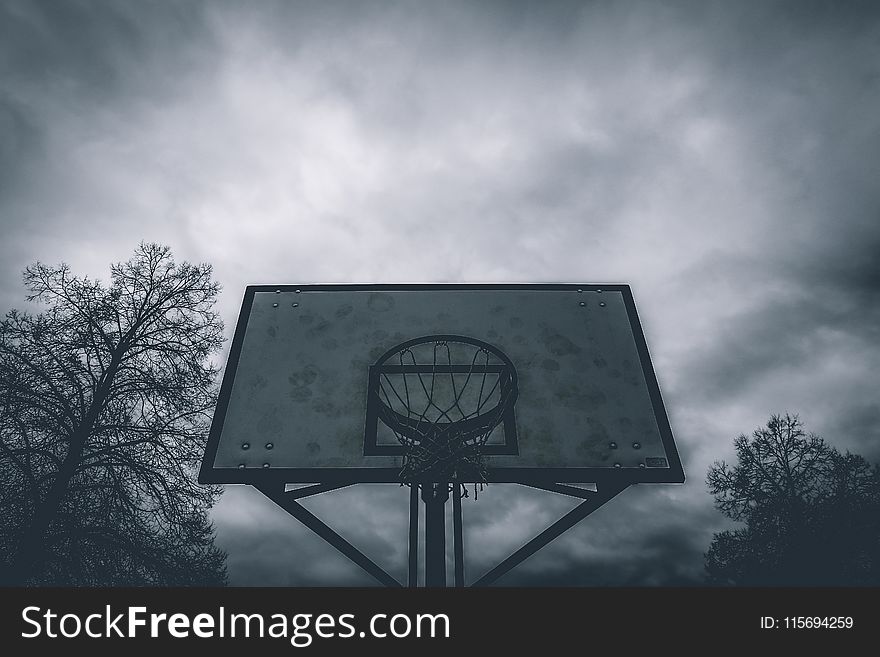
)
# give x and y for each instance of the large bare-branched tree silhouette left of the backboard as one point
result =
(105, 400)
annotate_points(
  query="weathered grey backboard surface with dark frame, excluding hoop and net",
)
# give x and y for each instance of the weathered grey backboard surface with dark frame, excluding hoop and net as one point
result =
(293, 403)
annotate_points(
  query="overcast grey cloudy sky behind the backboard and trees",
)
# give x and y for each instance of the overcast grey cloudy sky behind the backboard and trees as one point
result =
(723, 158)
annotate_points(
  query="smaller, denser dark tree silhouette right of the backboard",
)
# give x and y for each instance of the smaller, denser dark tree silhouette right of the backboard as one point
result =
(811, 514)
